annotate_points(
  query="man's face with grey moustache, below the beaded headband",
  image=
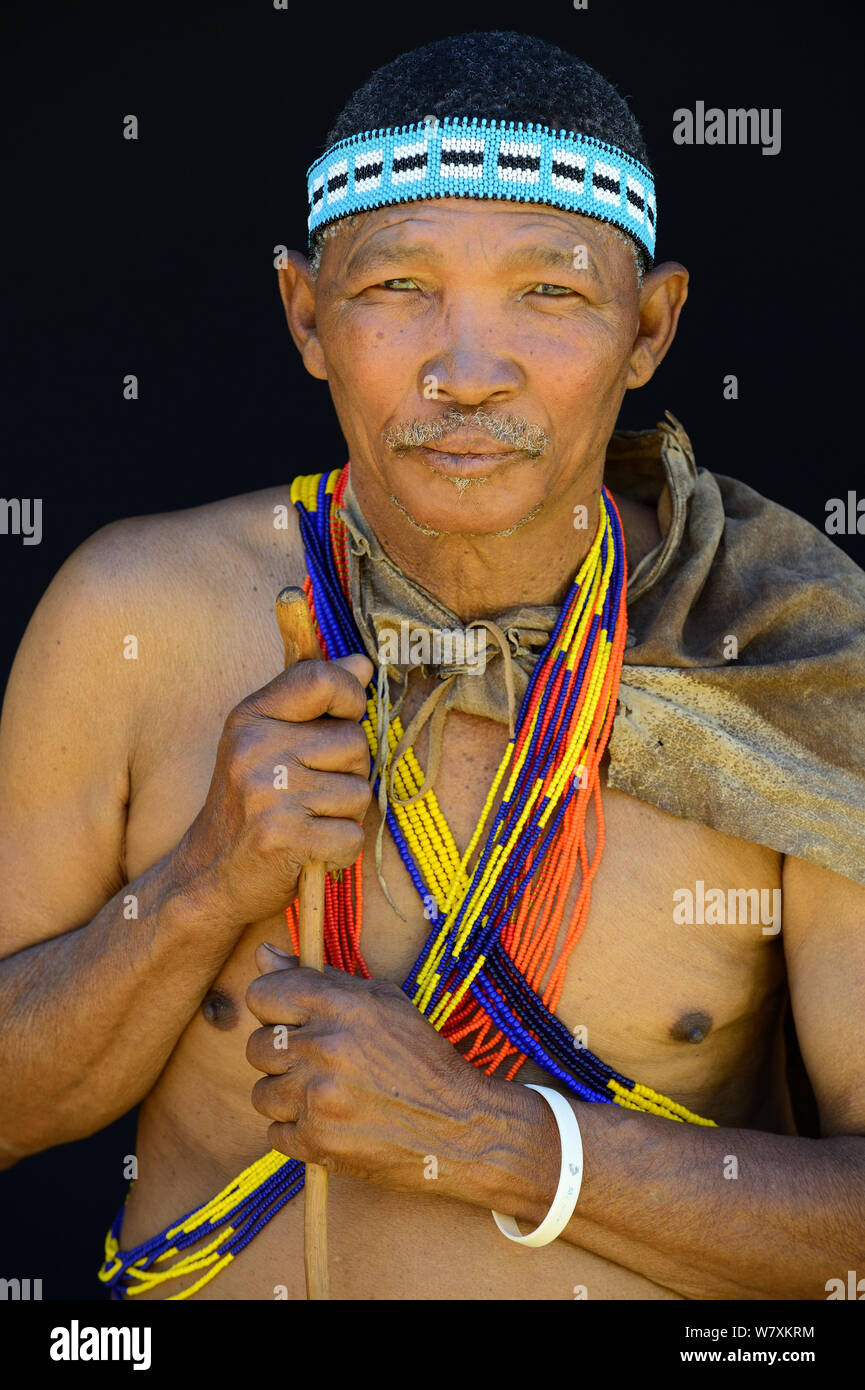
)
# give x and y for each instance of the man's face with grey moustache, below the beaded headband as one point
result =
(497, 334)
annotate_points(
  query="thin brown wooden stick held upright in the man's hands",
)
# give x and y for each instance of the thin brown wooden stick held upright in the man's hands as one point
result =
(301, 646)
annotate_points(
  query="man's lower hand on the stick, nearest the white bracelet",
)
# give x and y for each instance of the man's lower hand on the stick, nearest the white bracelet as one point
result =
(358, 1081)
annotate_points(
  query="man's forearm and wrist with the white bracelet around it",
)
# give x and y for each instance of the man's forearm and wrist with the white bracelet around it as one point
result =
(707, 1213)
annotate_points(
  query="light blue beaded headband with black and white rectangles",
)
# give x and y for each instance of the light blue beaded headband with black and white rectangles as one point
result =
(471, 158)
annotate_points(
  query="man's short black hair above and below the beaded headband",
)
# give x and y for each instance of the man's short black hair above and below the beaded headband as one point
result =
(503, 76)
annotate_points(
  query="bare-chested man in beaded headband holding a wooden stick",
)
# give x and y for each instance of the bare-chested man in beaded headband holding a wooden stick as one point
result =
(478, 350)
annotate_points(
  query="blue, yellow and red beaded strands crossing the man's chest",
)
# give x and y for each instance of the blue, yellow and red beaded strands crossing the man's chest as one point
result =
(494, 961)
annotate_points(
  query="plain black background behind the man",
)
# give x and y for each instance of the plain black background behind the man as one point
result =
(156, 258)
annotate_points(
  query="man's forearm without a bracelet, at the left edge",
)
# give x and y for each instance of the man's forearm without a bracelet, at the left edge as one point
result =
(90, 1018)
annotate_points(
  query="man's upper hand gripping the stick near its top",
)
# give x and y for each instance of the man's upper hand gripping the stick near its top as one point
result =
(290, 786)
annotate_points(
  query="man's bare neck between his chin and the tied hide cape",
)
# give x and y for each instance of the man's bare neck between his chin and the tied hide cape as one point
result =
(482, 576)
